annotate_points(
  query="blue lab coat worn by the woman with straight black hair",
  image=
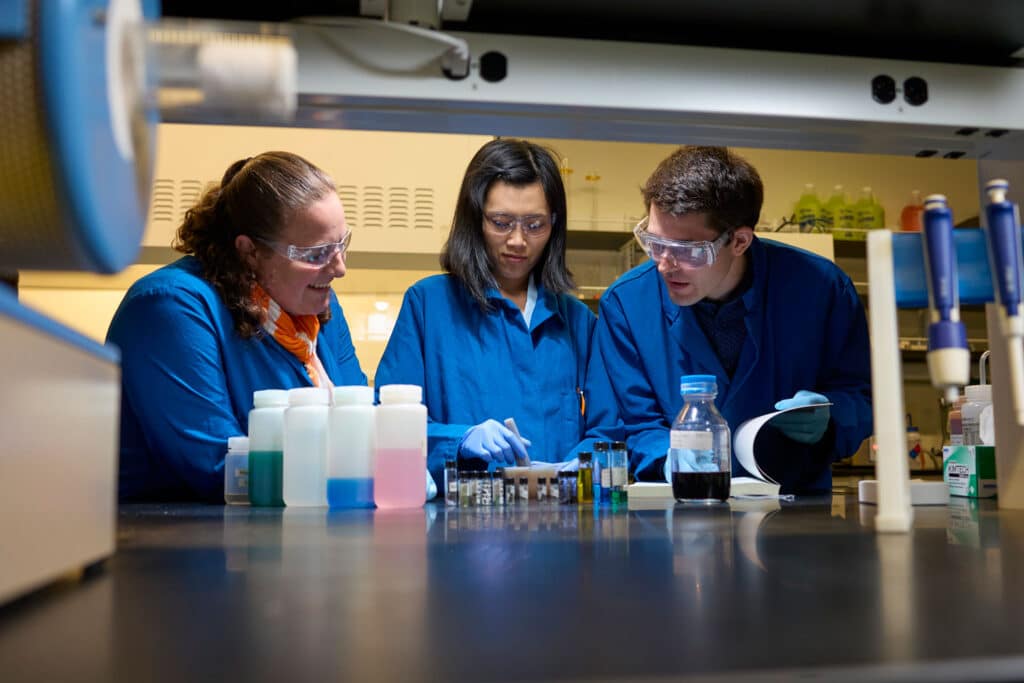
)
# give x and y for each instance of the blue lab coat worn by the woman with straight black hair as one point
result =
(477, 365)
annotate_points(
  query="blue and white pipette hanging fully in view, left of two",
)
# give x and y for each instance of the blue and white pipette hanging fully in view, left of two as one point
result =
(949, 357)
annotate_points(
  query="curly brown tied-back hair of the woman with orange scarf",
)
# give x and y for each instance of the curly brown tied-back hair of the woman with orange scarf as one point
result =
(257, 197)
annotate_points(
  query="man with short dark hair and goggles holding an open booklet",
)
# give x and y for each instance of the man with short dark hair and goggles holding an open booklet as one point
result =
(777, 326)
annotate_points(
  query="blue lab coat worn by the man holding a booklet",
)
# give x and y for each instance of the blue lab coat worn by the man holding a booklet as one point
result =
(805, 330)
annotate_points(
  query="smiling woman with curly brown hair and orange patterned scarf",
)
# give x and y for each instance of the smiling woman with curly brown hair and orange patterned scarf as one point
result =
(249, 308)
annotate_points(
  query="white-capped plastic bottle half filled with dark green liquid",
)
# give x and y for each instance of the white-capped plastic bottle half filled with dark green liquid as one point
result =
(267, 450)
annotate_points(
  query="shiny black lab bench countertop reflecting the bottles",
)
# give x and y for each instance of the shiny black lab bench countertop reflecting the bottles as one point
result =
(746, 590)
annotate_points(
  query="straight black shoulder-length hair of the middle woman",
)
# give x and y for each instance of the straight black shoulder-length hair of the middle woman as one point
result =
(518, 163)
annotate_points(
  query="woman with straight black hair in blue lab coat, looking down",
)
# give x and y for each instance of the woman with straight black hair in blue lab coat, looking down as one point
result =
(499, 335)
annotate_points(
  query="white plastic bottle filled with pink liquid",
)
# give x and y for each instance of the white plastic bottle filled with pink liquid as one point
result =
(402, 448)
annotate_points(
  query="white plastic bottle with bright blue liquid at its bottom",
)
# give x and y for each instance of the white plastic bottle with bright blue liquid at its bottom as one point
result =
(352, 436)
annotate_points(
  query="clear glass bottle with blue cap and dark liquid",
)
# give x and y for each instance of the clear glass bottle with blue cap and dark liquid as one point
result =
(700, 449)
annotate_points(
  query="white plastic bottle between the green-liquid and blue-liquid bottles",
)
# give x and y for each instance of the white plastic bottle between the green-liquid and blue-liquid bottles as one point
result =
(305, 478)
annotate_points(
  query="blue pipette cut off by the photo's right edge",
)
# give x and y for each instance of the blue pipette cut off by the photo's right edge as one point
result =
(1004, 233)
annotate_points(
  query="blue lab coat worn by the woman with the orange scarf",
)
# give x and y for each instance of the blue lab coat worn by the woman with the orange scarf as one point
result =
(189, 378)
